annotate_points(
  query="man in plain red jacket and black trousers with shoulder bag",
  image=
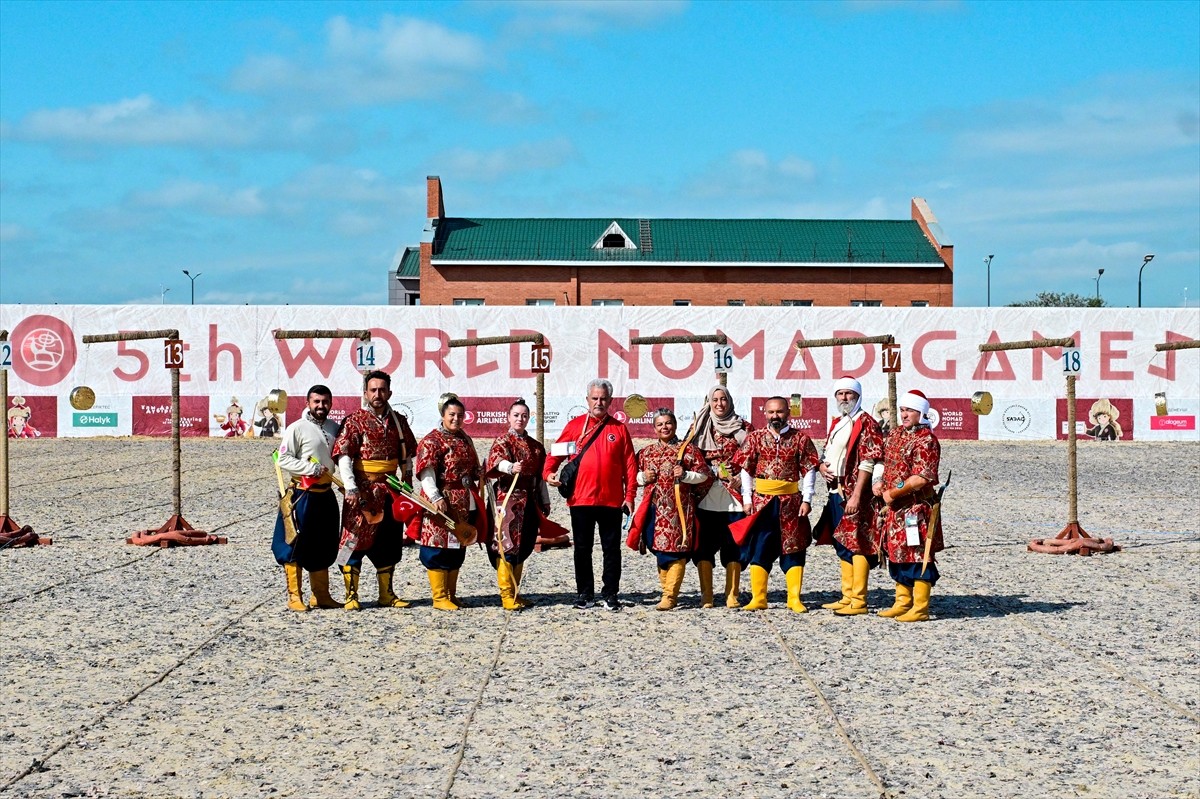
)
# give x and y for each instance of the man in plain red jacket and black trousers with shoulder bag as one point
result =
(605, 486)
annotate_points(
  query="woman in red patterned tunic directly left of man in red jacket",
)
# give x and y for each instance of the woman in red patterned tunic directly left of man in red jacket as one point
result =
(517, 454)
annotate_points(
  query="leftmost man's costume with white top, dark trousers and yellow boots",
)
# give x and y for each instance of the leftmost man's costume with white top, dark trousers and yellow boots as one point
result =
(315, 508)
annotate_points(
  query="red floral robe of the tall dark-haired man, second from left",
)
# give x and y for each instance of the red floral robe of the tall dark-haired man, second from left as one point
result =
(365, 437)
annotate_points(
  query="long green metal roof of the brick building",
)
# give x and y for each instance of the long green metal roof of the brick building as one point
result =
(823, 242)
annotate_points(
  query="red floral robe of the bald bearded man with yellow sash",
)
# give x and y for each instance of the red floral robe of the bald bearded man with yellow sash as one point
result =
(788, 459)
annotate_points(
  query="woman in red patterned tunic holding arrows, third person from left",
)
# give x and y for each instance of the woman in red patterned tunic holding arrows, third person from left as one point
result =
(448, 468)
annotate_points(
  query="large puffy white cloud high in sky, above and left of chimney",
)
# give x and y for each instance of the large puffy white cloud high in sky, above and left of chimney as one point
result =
(403, 59)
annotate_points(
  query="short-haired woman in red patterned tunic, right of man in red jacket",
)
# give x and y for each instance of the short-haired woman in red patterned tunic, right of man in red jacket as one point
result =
(661, 468)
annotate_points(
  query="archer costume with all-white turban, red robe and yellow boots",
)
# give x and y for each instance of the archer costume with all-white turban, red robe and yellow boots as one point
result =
(854, 454)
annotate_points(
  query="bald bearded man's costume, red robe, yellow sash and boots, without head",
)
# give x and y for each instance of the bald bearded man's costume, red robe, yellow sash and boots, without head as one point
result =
(779, 477)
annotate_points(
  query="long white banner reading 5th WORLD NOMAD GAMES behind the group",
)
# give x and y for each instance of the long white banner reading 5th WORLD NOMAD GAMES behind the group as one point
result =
(232, 362)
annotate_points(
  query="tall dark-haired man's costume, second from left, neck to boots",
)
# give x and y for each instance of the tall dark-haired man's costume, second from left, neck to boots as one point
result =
(370, 448)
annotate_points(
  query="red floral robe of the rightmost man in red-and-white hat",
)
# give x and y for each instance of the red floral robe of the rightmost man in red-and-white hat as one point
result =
(908, 453)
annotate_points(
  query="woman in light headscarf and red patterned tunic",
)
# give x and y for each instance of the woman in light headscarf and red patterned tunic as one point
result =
(719, 434)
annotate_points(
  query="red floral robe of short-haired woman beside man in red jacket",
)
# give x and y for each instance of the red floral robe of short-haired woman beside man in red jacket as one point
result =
(662, 458)
